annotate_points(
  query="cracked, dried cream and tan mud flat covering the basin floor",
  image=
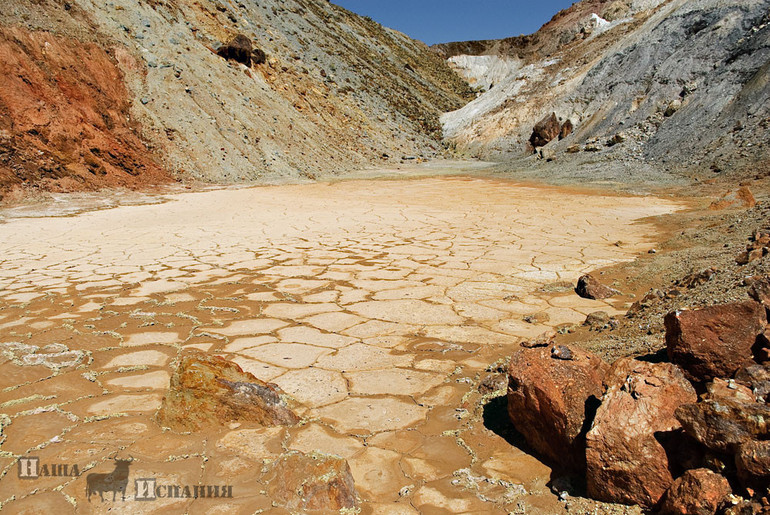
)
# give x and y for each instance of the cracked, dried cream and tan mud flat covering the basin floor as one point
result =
(378, 308)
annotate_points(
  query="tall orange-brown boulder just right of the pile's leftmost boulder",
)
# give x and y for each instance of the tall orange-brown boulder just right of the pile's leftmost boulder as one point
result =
(626, 462)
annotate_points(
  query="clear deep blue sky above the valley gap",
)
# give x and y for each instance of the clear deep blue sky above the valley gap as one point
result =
(440, 21)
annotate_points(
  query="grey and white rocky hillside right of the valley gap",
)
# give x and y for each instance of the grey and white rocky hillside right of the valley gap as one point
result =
(680, 84)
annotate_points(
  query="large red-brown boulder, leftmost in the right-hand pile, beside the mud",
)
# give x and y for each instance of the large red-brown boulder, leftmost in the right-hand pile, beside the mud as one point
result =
(550, 398)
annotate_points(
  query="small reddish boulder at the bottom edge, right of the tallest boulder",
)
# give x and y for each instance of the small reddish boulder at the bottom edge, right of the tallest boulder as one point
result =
(696, 492)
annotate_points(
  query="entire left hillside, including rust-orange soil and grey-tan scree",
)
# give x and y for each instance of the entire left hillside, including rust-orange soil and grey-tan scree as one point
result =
(133, 92)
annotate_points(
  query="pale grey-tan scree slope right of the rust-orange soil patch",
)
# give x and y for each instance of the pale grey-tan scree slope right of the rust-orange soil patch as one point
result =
(336, 92)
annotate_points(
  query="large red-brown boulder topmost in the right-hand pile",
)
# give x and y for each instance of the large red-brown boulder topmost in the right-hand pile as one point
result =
(714, 341)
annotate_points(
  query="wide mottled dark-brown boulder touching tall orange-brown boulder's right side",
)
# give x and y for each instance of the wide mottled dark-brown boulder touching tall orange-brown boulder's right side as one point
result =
(722, 425)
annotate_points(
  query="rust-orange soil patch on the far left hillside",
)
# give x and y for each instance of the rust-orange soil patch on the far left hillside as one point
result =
(64, 117)
